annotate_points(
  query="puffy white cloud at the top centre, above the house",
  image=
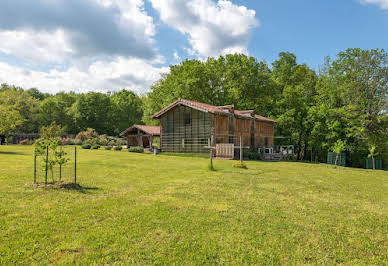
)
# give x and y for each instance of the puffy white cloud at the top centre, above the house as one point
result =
(212, 28)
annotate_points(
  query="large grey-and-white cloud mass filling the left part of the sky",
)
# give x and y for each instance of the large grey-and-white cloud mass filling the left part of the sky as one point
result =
(79, 45)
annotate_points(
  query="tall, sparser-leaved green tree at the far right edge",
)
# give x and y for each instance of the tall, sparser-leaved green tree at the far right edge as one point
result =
(361, 79)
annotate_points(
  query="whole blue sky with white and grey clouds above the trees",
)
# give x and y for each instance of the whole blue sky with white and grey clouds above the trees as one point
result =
(108, 45)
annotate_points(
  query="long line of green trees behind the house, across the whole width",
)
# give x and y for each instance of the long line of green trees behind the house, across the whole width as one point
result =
(344, 101)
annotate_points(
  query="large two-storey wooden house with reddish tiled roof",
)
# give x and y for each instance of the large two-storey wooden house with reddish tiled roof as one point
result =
(188, 127)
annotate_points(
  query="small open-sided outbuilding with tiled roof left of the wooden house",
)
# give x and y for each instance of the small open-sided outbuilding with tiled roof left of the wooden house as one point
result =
(141, 135)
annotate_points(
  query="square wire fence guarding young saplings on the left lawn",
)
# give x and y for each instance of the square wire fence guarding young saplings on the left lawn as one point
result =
(55, 165)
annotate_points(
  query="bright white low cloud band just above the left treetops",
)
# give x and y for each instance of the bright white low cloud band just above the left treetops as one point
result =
(132, 73)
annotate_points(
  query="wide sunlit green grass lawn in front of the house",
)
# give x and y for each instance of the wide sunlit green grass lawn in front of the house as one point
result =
(145, 209)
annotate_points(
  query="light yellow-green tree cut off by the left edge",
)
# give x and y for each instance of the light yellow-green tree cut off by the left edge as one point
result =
(9, 120)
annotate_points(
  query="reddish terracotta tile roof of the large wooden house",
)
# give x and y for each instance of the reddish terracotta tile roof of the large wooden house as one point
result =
(212, 109)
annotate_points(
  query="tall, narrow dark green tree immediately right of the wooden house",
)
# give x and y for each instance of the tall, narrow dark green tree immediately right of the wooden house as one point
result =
(296, 95)
